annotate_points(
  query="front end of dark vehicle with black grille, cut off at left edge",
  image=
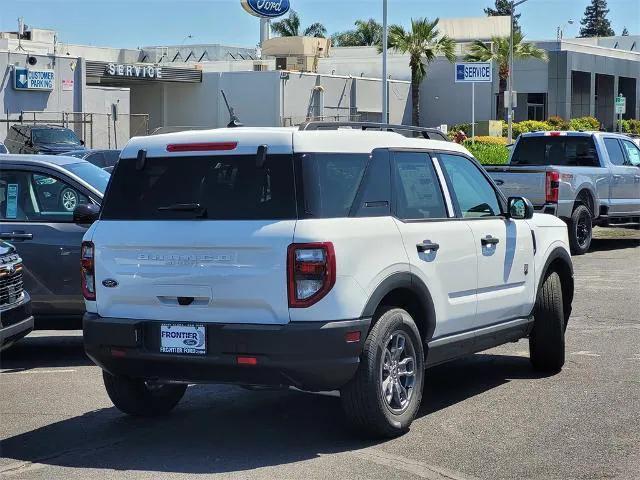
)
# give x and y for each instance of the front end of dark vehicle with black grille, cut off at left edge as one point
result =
(16, 320)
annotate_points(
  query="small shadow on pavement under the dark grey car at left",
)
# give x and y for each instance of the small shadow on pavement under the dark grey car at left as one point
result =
(45, 351)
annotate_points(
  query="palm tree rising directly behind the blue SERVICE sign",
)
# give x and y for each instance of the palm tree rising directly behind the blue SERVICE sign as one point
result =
(498, 51)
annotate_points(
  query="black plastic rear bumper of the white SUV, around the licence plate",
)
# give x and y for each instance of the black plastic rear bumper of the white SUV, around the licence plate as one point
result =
(307, 355)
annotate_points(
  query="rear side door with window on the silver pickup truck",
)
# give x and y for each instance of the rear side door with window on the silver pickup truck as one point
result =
(622, 188)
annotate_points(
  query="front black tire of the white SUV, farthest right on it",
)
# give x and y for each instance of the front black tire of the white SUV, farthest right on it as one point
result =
(546, 341)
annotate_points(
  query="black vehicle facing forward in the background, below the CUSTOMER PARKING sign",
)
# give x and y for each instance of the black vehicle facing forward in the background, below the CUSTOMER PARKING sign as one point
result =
(42, 139)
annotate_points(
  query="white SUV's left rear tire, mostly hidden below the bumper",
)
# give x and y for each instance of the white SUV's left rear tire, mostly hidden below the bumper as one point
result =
(135, 397)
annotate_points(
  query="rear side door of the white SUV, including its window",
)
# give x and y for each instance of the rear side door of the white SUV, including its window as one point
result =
(440, 249)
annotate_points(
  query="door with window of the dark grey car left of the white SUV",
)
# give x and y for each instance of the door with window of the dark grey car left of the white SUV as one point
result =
(36, 210)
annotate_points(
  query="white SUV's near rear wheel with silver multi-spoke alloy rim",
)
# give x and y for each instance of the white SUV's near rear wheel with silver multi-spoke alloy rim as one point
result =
(384, 396)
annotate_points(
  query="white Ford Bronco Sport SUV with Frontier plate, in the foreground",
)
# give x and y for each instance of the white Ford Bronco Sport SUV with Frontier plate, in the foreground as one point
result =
(343, 260)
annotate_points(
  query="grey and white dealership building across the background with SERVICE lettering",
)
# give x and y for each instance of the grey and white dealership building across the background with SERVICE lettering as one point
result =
(109, 94)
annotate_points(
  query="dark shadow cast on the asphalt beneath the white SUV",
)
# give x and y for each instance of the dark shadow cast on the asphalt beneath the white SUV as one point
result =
(226, 429)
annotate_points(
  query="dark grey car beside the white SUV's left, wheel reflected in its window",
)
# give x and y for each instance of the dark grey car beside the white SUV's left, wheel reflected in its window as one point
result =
(38, 196)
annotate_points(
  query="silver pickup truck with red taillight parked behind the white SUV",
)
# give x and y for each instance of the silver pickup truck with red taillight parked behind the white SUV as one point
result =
(585, 178)
